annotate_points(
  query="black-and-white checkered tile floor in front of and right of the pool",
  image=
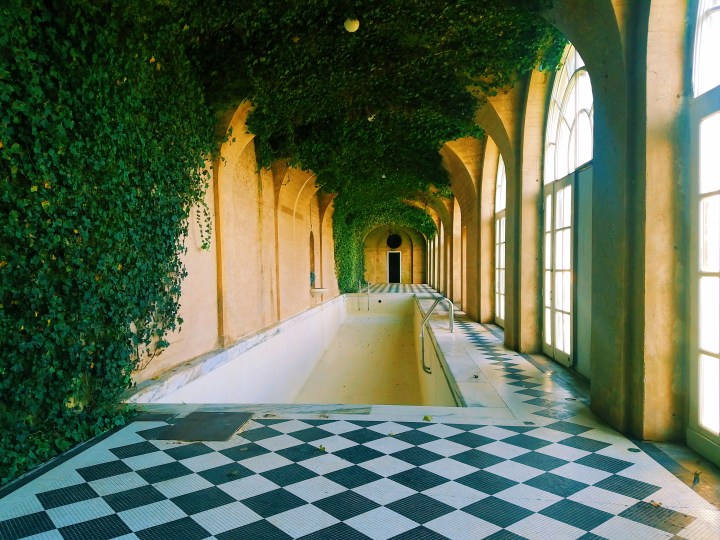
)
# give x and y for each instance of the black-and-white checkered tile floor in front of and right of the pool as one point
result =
(553, 472)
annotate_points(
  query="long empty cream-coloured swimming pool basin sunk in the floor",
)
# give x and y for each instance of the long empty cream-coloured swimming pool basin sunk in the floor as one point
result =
(338, 352)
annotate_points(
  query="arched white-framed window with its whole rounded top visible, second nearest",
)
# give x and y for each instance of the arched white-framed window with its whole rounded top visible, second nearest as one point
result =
(568, 146)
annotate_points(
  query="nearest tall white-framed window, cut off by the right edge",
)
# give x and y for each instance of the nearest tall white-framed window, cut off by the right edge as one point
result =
(705, 118)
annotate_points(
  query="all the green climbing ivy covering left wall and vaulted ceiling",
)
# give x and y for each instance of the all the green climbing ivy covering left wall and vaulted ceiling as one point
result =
(107, 111)
